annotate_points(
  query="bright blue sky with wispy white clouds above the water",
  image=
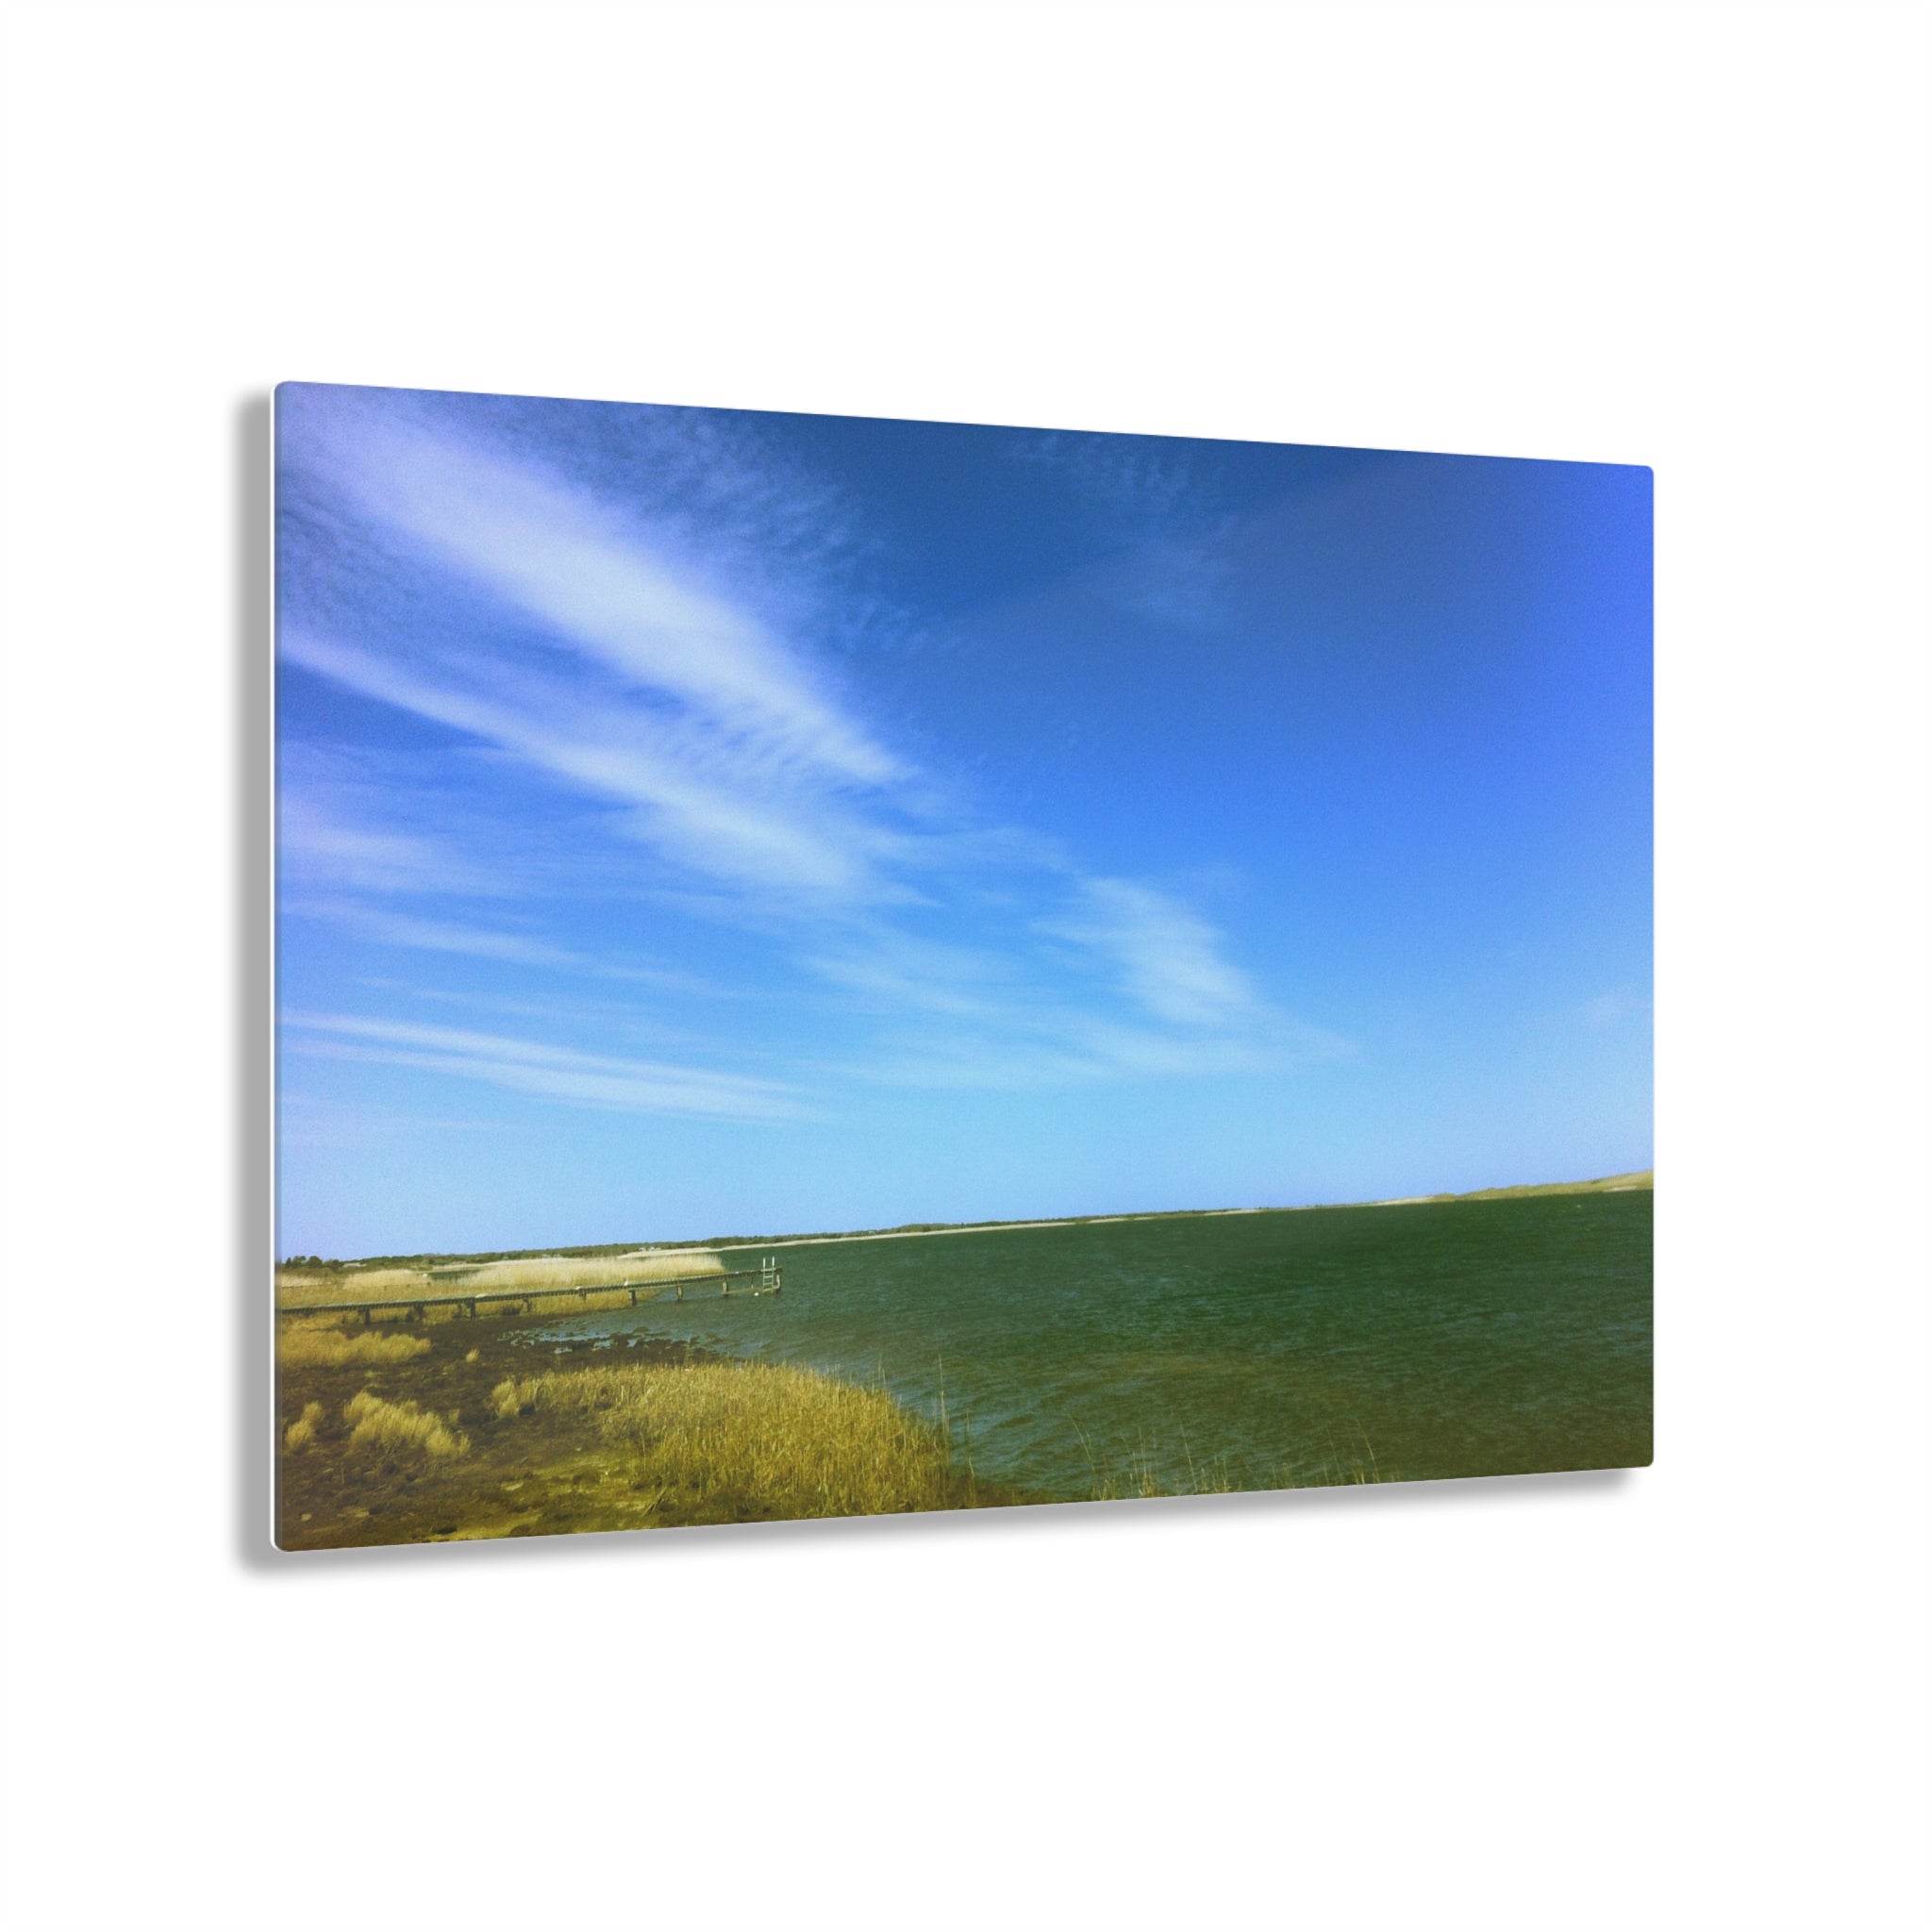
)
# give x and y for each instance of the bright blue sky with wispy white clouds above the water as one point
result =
(710, 822)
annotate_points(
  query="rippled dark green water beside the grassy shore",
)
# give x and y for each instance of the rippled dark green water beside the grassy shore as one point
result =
(1462, 1340)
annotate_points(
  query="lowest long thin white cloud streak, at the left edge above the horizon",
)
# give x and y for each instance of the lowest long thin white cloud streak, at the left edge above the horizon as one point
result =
(548, 1071)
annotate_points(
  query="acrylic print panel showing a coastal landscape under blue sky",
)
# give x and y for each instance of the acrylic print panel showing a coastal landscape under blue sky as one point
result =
(847, 967)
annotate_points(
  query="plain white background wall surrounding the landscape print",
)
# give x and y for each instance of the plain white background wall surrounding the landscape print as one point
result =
(1691, 237)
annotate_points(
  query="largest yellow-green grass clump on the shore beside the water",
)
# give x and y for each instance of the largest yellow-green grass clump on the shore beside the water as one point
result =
(756, 1438)
